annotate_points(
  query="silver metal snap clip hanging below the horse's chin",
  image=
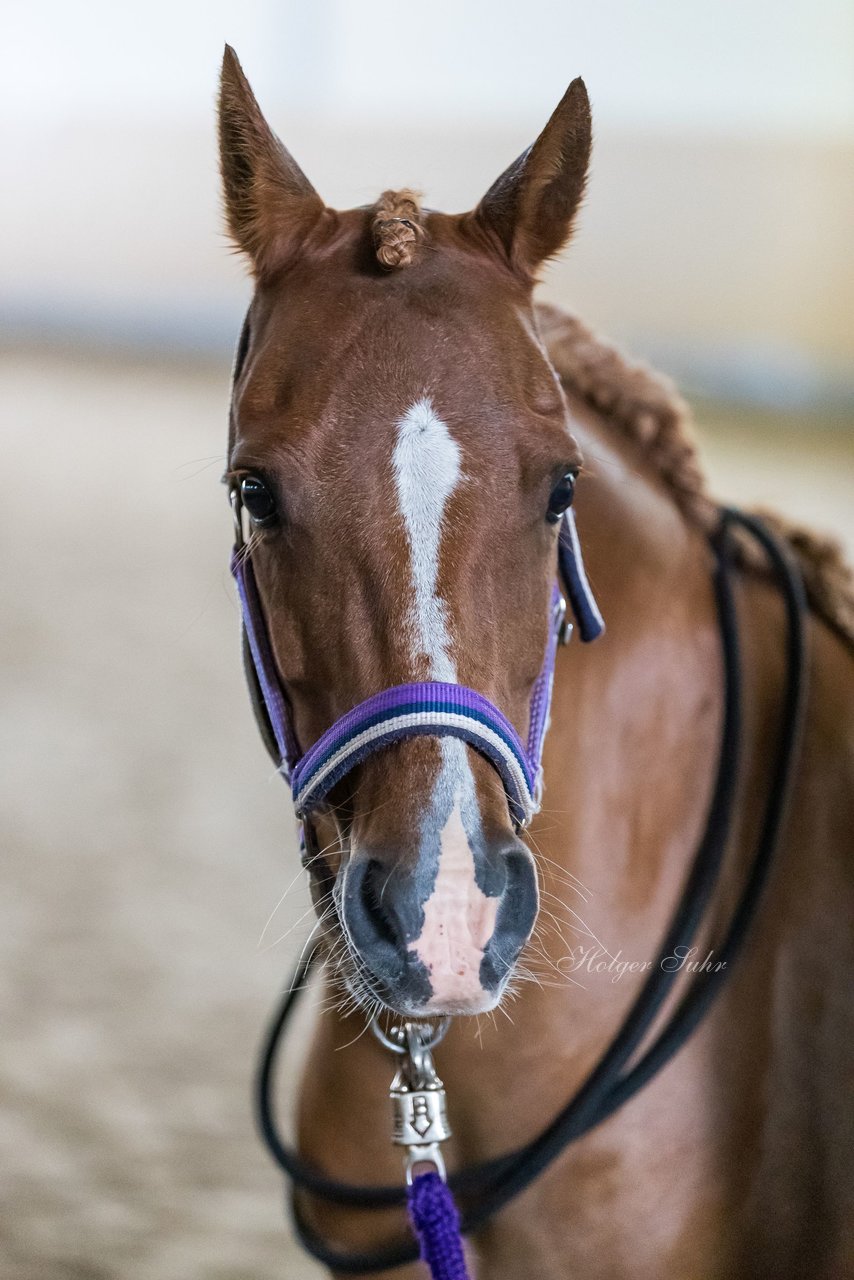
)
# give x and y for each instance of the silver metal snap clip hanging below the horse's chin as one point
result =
(421, 1121)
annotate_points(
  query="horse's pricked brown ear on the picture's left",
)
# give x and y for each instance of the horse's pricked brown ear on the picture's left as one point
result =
(270, 202)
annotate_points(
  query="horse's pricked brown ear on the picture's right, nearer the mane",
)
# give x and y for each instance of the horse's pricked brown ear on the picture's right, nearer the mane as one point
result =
(532, 207)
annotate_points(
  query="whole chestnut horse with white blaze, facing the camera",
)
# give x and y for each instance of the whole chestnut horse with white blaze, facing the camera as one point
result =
(409, 431)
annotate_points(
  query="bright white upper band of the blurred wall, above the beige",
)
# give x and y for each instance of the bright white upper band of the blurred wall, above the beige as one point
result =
(750, 66)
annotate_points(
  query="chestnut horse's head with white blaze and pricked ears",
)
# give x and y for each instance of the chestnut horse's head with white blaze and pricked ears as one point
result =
(401, 455)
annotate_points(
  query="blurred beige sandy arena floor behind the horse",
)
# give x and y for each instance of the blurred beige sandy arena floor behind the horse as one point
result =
(145, 842)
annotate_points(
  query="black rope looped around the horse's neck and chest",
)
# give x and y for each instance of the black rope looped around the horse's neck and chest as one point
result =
(487, 1187)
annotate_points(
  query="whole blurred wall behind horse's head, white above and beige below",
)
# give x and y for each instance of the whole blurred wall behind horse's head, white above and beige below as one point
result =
(716, 237)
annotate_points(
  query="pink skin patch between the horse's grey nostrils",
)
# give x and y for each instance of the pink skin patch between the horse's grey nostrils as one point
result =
(459, 921)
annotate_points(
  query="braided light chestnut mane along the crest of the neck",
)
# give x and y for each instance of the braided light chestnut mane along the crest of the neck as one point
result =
(649, 410)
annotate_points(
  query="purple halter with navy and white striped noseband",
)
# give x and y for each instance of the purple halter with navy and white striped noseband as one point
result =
(409, 711)
